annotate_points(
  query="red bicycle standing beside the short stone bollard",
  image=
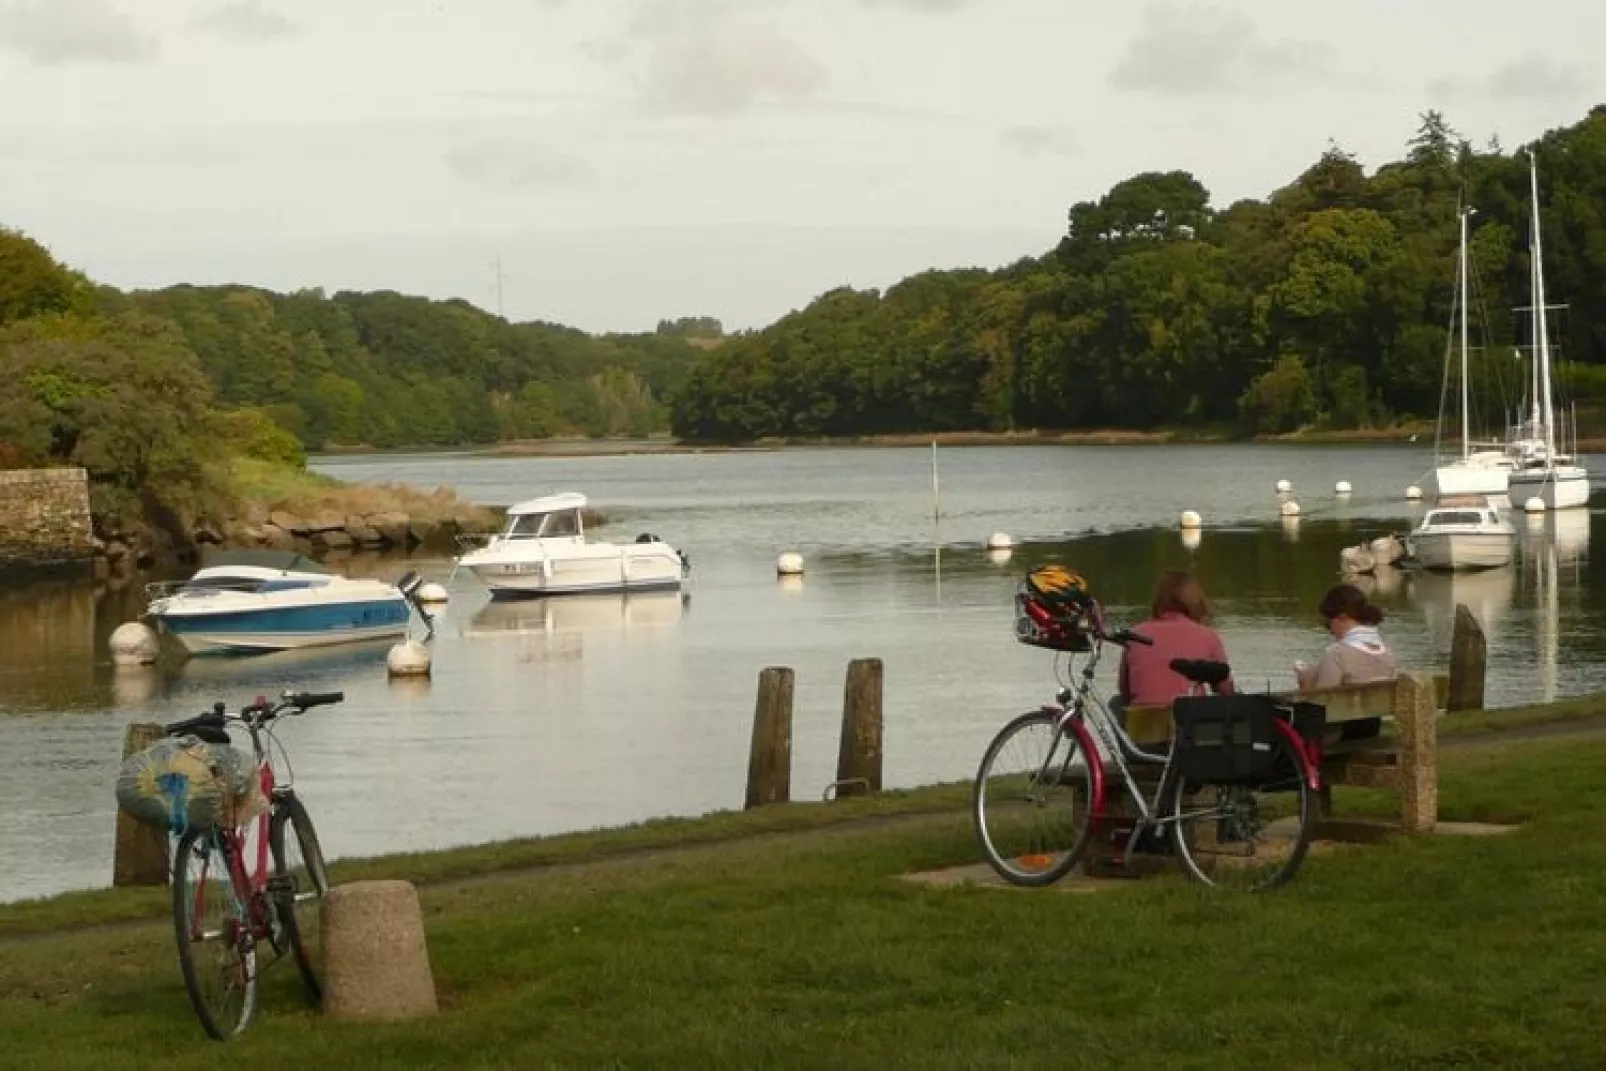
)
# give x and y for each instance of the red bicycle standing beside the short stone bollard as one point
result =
(230, 860)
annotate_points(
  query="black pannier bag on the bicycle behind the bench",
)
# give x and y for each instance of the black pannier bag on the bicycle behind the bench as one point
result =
(1226, 739)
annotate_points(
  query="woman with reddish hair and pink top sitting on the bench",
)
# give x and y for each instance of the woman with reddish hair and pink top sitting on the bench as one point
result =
(1180, 625)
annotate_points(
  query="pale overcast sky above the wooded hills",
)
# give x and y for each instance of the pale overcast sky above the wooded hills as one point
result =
(613, 163)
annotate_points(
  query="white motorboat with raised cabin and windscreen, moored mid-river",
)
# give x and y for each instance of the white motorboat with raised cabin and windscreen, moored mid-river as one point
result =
(544, 552)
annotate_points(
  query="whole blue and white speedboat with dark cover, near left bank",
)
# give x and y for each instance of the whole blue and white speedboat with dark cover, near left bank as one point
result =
(253, 601)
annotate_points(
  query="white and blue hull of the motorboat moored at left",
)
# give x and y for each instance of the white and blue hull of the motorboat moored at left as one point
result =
(218, 630)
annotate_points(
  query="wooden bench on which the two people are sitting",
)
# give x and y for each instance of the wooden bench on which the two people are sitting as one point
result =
(1379, 736)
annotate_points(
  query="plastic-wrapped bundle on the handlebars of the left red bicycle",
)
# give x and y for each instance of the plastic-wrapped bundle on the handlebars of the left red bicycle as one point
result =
(185, 783)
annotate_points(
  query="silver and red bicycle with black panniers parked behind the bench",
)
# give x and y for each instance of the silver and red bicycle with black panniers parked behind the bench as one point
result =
(1035, 820)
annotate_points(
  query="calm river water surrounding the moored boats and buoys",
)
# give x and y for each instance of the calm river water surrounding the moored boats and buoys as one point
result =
(579, 714)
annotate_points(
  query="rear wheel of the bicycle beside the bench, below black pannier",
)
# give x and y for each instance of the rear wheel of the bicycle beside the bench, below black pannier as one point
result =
(1245, 837)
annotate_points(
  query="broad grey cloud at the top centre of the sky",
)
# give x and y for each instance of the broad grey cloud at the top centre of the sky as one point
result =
(711, 59)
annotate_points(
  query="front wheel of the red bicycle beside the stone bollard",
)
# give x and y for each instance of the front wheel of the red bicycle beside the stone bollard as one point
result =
(218, 951)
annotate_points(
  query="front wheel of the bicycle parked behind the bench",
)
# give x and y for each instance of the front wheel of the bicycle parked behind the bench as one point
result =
(1033, 800)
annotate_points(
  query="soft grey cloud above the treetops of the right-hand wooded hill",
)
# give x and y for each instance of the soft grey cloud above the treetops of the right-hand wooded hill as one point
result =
(1199, 49)
